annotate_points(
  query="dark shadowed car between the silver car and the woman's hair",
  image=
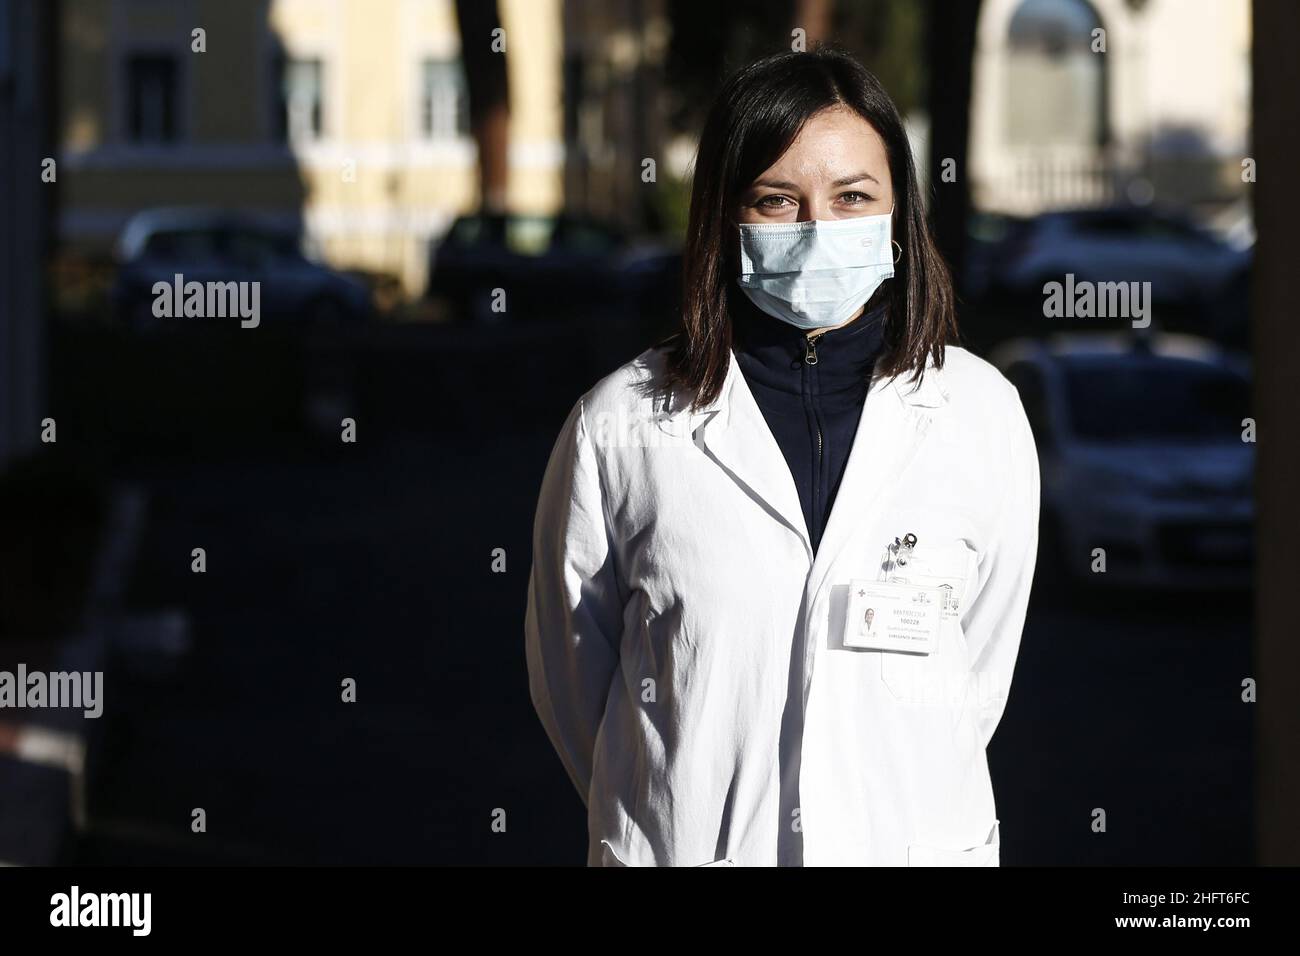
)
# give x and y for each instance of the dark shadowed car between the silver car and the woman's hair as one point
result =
(549, 267)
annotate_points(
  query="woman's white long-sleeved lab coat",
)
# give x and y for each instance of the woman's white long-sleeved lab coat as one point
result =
(687, 655)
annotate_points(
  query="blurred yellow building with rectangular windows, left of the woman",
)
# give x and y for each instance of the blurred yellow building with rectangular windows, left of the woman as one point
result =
(346, 119)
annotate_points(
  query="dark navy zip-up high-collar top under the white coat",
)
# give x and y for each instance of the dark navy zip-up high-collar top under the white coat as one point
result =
(812, 395)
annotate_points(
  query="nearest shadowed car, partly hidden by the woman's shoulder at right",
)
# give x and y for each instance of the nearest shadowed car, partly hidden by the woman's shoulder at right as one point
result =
(1142, 453)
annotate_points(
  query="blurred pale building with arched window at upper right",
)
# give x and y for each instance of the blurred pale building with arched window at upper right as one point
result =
(1162, 114)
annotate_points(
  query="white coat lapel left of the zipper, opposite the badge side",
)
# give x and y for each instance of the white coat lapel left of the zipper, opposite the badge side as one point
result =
(736, 436)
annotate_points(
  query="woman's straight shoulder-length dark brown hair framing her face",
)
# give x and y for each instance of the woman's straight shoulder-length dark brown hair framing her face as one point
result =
(756, 118)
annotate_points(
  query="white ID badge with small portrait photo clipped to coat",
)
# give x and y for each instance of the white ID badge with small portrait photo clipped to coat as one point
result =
(892, 616)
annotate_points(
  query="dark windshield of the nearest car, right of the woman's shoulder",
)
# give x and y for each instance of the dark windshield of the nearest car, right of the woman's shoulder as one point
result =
(1155, 400)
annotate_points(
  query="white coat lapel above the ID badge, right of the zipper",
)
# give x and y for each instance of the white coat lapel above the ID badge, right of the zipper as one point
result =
(892, 427)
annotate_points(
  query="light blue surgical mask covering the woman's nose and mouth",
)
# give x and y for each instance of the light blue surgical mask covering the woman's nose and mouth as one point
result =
(818, 274)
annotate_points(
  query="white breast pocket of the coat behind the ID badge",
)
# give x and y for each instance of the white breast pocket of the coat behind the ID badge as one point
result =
(943, 676)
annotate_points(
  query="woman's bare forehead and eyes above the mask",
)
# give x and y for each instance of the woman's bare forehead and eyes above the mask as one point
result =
(837, 168)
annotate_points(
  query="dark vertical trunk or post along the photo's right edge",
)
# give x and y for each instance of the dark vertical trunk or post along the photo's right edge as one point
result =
(1277, 364)
